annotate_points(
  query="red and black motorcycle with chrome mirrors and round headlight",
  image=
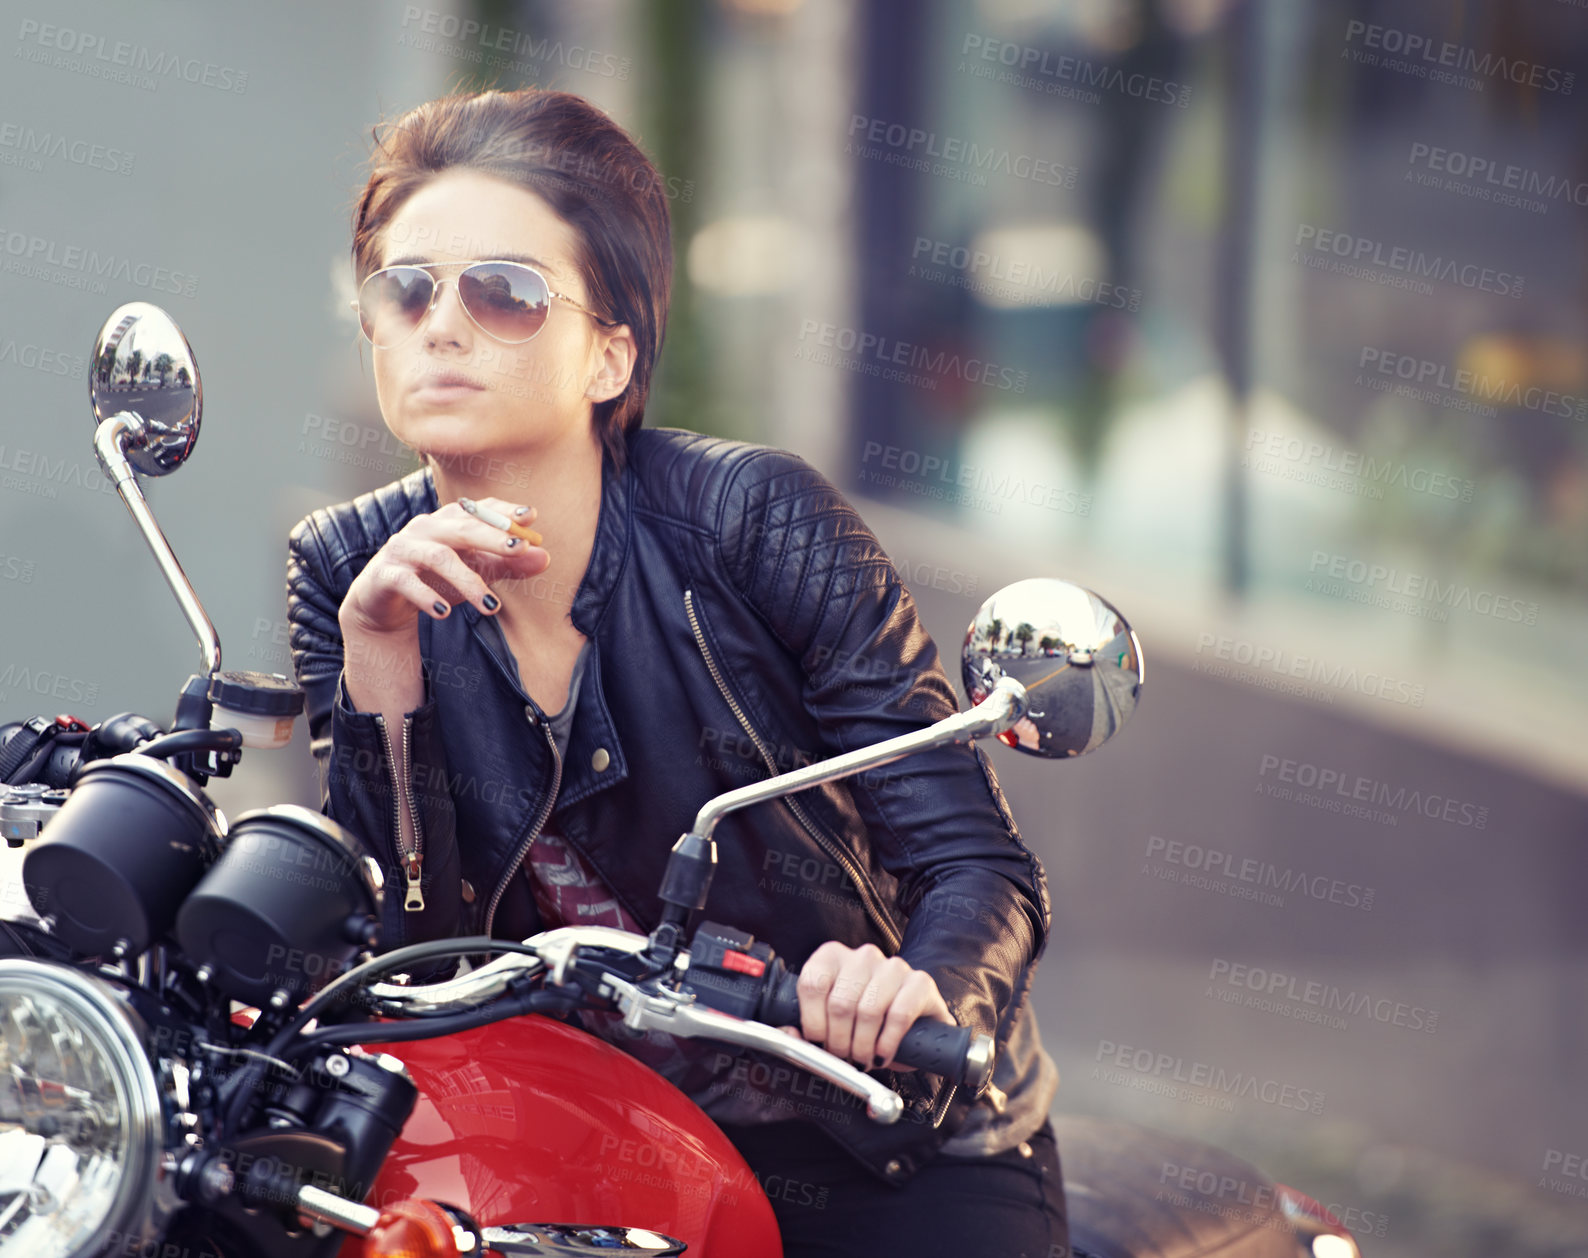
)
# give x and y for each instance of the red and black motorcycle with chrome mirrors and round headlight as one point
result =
(204, 1054)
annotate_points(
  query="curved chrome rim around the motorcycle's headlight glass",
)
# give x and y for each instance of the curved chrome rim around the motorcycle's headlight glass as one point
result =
(118, 1032)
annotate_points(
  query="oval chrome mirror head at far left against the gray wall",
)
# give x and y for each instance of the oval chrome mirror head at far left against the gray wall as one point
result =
(144, 366)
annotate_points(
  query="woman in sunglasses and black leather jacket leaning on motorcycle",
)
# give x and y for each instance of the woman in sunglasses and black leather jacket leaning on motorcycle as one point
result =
(523, 730)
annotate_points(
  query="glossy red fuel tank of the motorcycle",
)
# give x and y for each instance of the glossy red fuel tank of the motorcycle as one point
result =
(534, 1122)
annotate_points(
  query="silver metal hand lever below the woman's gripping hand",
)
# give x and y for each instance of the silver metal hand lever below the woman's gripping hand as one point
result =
(679, 1014)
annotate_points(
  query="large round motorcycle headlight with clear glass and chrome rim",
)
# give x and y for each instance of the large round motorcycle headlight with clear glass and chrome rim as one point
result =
(80, 1116)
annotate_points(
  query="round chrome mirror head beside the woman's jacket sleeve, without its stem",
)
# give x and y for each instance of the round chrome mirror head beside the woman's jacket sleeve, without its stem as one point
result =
(1074, 654)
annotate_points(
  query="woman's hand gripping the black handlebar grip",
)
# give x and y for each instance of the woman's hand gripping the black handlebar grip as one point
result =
(860, 1005)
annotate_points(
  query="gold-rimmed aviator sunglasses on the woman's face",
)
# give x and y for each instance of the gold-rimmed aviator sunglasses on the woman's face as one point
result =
(507, 301)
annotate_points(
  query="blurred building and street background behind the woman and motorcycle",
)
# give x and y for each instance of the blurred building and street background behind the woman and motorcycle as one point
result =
(1263, 320)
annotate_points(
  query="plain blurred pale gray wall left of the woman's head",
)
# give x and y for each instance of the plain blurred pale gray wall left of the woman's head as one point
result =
(245, 193)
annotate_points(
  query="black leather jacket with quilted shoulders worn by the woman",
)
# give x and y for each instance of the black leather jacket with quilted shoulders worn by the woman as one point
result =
(744, 620)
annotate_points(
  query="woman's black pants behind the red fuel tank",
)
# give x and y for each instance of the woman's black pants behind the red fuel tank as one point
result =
(828, 1206)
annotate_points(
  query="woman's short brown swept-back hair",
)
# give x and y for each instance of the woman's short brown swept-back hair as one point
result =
(585, 168)
